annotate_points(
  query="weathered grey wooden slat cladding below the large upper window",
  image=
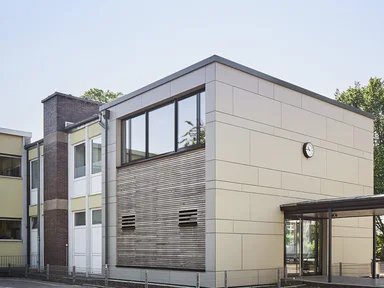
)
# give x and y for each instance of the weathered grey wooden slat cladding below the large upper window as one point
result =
(156, 192)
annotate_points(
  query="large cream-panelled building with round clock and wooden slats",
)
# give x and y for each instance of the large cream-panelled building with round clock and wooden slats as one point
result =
(199, 162)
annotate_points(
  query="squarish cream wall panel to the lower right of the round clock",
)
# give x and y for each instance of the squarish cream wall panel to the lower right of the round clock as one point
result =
(342, 167)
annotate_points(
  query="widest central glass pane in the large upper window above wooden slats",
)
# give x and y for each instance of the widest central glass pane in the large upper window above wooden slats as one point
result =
(162, 130)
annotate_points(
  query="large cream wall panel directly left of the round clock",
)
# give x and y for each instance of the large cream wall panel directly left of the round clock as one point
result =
(275, 153)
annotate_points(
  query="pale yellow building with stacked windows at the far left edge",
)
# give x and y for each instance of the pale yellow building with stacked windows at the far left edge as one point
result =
(13, 210)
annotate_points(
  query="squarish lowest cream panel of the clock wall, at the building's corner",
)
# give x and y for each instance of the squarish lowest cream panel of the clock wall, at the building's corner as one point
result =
(228, 252)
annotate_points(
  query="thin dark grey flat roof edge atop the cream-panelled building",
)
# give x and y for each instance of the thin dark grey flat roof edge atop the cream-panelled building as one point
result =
(242, 68)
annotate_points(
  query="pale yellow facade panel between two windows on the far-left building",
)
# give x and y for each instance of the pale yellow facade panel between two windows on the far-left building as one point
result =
(11, 198)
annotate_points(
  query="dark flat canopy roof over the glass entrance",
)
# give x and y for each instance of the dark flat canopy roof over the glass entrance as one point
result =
(345, 207)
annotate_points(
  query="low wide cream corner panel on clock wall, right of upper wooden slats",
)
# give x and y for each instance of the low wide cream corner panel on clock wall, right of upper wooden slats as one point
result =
(237, 173)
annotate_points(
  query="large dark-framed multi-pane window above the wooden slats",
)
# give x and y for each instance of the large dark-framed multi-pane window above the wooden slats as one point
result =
(170, 128)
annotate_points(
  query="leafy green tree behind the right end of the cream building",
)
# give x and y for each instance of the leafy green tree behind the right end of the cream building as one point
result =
(370, 98)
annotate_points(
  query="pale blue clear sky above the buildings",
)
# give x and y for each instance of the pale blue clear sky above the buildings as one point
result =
(71, 46)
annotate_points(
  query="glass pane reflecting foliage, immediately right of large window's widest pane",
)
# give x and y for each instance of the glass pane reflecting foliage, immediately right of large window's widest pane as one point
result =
(187, 116)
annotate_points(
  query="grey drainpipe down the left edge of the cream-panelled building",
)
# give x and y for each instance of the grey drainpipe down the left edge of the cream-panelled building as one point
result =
(106, 115)
